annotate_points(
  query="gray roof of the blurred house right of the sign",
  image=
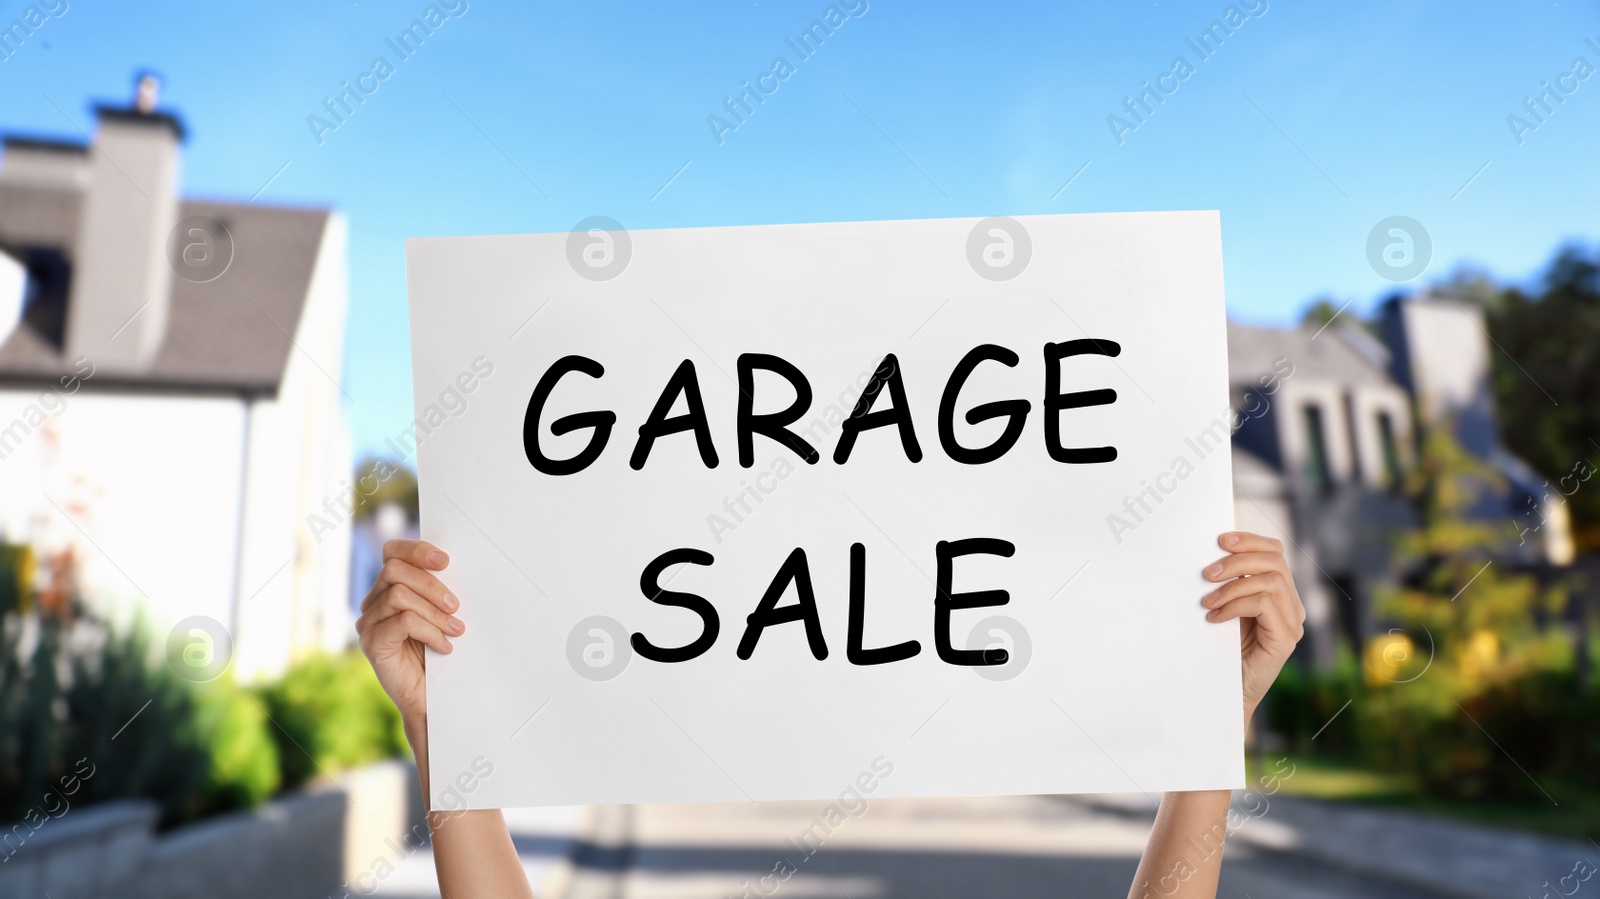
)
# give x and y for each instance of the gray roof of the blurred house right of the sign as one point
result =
(1255, 351)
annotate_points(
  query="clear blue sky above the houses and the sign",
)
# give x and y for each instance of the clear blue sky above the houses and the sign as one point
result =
(1306, 127)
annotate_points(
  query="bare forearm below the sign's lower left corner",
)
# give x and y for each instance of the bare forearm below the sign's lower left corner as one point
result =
(473, 850)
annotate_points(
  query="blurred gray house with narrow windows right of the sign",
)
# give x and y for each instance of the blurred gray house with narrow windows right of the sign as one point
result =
(1329, 426)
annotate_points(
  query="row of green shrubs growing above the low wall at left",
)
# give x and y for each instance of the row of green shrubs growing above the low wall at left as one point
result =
(86, 703)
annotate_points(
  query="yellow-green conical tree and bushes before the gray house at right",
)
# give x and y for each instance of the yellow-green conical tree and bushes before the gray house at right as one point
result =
(1473, 687)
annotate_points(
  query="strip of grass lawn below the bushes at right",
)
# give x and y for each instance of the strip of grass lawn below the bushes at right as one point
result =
(1575, 818)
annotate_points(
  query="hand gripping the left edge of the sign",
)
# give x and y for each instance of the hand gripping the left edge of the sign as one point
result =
(407, 609)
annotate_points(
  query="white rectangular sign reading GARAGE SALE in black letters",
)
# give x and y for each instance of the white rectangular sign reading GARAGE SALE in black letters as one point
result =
(753, 513)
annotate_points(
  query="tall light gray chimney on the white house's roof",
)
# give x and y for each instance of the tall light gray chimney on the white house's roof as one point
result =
(121, 281)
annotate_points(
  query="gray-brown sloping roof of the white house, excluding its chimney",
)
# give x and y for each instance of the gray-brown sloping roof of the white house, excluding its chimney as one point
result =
(231, 335)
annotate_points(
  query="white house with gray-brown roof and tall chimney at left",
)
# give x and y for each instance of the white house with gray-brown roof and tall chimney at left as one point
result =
(170, 401)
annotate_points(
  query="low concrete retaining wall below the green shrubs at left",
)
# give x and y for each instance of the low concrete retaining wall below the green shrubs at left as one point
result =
(306, 845)
